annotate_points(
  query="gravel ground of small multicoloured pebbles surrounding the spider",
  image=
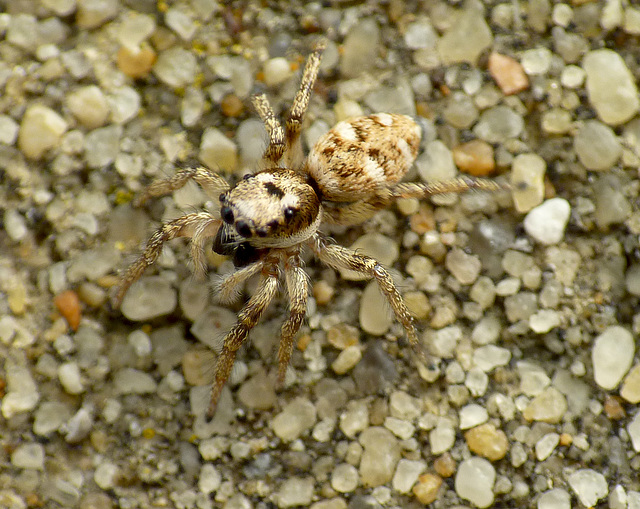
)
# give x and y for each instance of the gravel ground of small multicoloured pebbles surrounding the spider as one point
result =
(527, 298)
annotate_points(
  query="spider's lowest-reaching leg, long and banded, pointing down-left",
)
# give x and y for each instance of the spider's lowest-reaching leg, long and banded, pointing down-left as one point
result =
(248, 317)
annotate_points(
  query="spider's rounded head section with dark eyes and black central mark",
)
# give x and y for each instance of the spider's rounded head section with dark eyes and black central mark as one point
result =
(274, 208)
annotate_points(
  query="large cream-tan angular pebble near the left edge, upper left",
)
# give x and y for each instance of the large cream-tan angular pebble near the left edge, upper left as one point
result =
(41, 129)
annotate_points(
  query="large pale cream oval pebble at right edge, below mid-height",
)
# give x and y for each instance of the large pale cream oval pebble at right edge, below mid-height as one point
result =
(612, 356)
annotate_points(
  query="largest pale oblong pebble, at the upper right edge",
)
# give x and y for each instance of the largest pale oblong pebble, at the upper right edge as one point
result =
(610, 86)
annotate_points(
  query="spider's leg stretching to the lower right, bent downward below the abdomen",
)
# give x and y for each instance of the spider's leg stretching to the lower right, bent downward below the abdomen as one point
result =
(339, 257)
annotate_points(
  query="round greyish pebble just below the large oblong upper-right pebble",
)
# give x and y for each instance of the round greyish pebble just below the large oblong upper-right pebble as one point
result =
(597, 146)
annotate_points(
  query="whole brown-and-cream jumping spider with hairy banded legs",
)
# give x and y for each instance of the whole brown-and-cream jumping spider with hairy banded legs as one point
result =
(269, 217)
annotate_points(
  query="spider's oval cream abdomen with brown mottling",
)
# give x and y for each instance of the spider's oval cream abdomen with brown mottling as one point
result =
(363, 154)
